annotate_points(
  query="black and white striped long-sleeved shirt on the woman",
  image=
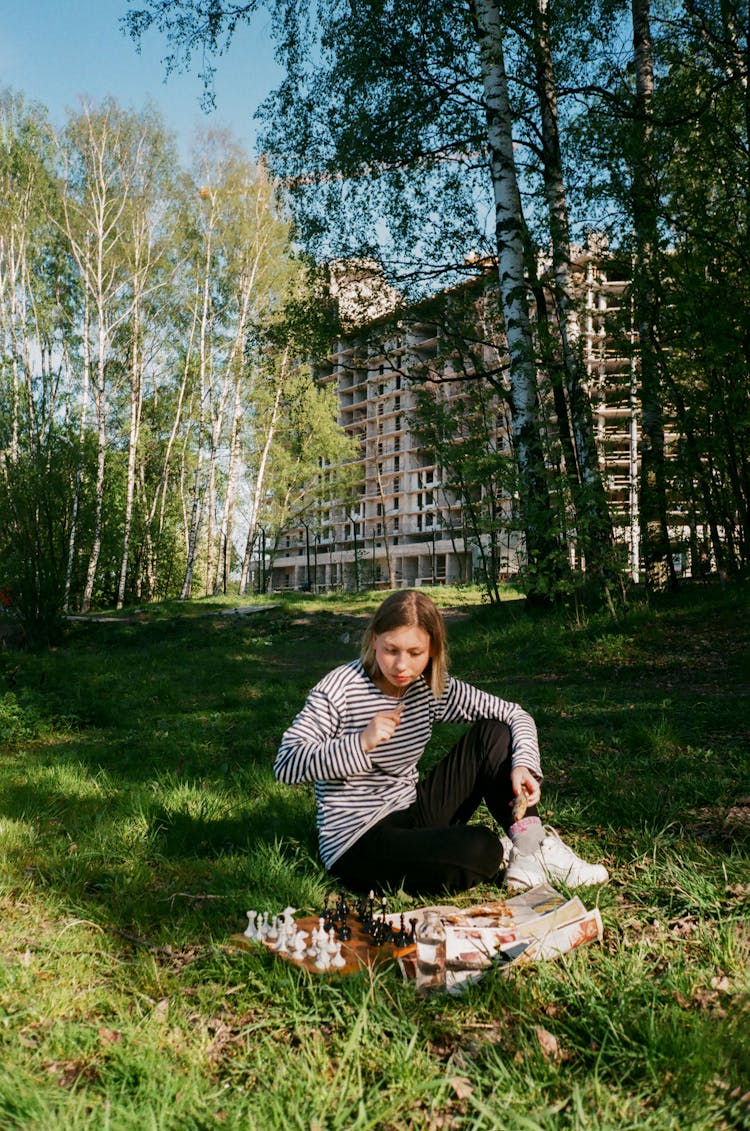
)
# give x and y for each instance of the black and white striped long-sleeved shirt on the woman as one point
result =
(356, 790)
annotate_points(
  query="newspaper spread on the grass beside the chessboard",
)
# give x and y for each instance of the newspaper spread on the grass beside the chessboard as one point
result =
(536, 926)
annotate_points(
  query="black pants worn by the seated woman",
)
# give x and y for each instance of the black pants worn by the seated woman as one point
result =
(429, 847)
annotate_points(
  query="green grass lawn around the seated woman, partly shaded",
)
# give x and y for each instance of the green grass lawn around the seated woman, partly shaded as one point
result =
(140, 819)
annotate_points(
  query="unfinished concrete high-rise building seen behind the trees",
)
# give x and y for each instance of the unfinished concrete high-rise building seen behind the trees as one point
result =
(406, 528)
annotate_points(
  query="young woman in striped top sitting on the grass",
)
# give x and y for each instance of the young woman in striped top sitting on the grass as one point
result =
(360, 738)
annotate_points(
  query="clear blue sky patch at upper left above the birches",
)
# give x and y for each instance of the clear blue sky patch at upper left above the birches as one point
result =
(56, 51)
